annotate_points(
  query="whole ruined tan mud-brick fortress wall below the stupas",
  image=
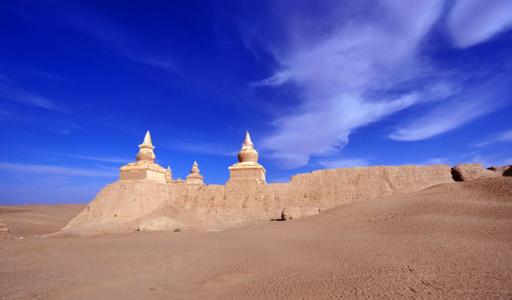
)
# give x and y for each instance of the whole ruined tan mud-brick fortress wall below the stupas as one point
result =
(123, 205)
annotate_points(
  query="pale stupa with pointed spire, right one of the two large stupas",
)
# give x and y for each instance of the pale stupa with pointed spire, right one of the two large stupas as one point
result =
(247, 170)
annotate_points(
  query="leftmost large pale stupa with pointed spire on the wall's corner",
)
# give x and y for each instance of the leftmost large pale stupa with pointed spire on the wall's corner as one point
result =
(144, 168)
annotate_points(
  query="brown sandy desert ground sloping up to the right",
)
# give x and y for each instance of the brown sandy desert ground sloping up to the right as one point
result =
(450, 240)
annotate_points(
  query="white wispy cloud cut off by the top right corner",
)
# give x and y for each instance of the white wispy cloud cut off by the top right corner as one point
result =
(471, 22)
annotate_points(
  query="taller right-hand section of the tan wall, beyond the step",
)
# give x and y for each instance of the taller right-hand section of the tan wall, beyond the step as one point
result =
(328, 188)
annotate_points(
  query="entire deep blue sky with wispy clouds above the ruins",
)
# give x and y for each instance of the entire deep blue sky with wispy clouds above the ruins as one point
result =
(319, 84)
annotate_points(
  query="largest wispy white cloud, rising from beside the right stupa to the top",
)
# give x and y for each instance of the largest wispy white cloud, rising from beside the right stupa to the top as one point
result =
(344, 74)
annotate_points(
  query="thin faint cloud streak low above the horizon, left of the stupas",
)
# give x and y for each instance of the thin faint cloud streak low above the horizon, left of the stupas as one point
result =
(53, 170)
